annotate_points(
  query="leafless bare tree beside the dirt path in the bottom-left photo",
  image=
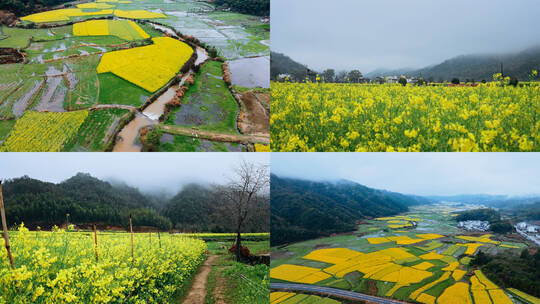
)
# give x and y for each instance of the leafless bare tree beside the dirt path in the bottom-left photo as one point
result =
(245, 195)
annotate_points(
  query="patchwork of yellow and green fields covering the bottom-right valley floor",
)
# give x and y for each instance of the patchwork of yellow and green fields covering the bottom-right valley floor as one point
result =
(409, 257)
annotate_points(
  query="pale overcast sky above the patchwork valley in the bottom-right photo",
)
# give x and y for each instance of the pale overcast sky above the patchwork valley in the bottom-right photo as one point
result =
(420, 173)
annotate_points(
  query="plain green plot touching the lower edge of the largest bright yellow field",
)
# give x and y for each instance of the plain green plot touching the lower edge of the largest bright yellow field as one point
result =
(115, 90)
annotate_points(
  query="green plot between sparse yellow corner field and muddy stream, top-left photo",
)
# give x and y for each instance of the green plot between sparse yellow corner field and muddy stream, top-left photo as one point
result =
(96, 132)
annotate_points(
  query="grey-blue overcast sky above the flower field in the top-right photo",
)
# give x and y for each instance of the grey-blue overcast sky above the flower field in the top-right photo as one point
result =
(349, 34)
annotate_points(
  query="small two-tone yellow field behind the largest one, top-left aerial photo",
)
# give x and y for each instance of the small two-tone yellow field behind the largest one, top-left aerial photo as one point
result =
(125, 29)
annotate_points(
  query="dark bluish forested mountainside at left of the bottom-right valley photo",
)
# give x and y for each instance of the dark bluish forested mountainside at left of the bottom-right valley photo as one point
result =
(302, 209)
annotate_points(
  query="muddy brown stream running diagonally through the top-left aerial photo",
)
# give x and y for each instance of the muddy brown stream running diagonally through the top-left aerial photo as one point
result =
(127, 137)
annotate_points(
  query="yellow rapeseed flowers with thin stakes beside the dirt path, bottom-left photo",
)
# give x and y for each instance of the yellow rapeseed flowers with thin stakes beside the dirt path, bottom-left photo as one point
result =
(61, 267)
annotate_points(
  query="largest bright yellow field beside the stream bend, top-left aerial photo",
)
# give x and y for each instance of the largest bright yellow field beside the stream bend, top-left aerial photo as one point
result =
(149, 67)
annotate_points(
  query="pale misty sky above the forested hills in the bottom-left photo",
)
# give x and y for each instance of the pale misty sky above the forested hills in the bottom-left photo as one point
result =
(147, 171)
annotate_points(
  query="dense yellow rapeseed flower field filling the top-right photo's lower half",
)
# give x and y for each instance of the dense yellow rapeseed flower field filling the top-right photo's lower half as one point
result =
(390, 117)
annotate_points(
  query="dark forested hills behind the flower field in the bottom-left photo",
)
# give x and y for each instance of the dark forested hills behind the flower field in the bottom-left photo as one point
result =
(90, 200)
